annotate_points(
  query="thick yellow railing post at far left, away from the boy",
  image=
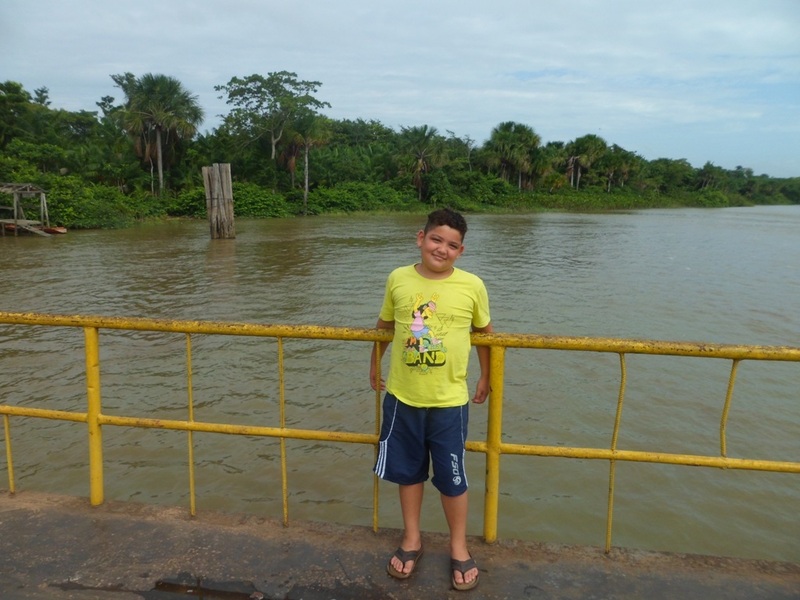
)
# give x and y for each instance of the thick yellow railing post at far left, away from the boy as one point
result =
(92, 337)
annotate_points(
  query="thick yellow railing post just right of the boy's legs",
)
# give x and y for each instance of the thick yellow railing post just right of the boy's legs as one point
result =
(494, 437)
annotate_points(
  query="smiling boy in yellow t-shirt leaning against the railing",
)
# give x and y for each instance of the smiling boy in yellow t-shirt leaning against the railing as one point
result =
(432, 308)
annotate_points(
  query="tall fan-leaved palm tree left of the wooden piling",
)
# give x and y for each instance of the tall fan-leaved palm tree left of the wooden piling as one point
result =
(159, 111)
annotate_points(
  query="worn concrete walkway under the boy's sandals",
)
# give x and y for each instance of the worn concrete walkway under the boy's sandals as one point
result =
(57, 548)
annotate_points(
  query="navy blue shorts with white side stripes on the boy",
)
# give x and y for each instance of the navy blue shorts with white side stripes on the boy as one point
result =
(412, 438)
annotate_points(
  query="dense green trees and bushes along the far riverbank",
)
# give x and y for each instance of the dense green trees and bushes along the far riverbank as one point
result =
(142, 159)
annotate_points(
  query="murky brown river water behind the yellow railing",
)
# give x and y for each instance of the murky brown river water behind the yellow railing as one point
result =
(720, 276)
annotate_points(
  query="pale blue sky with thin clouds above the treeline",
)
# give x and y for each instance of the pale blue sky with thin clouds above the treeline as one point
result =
(703, 80)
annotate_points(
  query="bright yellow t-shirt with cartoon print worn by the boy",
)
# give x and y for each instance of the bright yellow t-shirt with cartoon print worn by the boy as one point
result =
(433, 319)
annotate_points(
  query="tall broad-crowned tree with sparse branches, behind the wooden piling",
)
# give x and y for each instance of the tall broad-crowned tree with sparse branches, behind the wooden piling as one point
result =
(265, 105)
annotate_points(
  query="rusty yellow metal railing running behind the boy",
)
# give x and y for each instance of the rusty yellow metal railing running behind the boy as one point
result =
(493, 447)
